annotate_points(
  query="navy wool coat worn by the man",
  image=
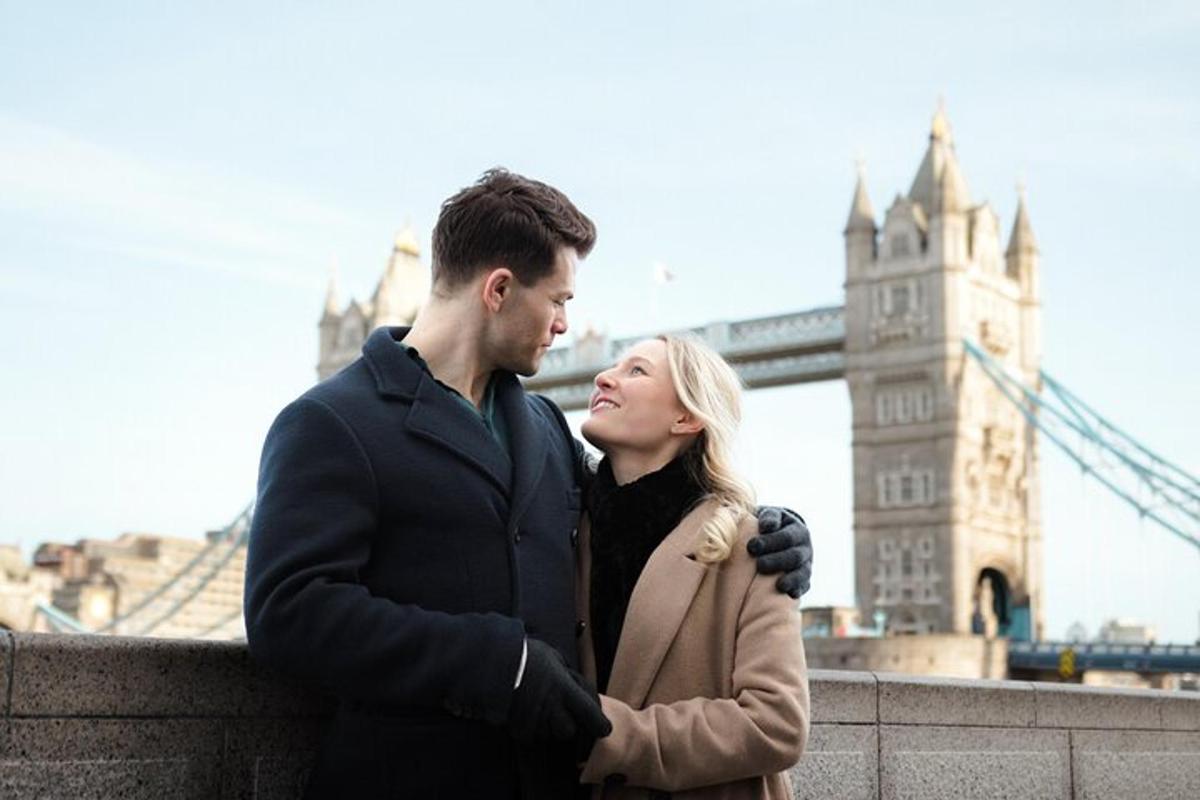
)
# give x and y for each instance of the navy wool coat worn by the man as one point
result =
(399, 558)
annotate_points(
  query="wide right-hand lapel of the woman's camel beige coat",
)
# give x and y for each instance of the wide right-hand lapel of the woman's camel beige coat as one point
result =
(657, 609)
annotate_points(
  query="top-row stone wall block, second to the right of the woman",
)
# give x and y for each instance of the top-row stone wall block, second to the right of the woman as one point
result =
(914, 700)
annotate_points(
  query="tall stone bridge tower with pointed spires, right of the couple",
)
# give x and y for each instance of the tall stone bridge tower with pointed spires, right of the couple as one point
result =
(947, 525)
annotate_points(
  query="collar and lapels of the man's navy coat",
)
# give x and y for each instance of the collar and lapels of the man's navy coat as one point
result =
(448, 423)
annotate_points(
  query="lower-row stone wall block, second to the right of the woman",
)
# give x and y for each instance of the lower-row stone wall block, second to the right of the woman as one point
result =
(963, 762)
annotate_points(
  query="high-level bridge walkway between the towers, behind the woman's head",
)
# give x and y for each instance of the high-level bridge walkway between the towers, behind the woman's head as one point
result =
(796, 348)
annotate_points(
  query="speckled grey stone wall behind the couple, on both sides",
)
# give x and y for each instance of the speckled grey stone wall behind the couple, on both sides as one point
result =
(105, 718)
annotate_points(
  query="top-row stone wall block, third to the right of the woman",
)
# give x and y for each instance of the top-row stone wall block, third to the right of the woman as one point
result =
(1067, 706)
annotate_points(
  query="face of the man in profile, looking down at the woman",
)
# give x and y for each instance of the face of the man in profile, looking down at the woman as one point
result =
(533, 316)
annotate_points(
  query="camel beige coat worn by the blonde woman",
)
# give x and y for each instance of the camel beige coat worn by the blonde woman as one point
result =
(709, 696)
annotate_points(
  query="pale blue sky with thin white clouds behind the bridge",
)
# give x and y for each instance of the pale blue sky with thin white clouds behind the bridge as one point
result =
(178, 184)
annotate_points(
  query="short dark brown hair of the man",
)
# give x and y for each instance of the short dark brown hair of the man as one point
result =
(507, 220)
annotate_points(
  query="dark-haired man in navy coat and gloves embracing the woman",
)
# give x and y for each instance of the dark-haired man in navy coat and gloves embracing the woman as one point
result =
(413, 540)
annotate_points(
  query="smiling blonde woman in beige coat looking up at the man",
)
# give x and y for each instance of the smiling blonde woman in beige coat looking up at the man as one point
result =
(698, 659)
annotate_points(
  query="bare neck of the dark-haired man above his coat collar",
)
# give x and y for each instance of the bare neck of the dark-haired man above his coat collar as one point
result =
(449, 345)
